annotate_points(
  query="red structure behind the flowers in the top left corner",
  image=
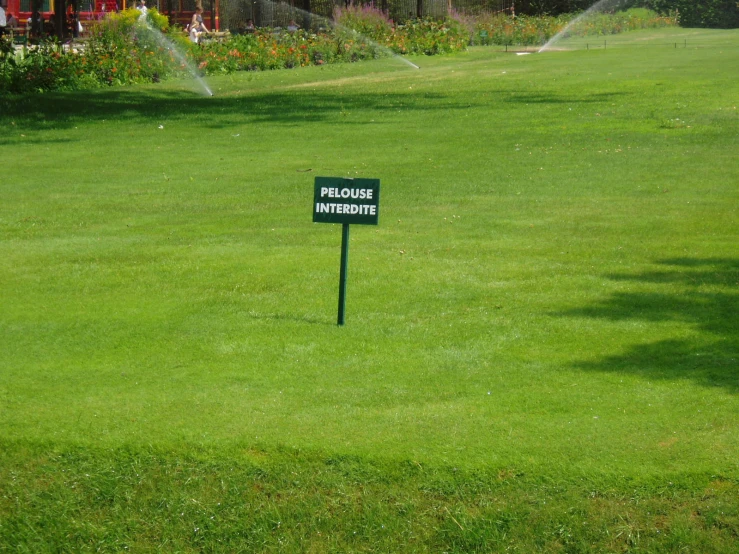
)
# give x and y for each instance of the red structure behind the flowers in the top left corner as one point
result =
(58, 14)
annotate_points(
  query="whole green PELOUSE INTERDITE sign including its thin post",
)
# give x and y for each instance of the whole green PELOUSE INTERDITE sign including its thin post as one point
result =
(345, 201)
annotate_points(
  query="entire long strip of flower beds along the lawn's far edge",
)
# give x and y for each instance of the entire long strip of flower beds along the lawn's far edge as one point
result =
(124, 49)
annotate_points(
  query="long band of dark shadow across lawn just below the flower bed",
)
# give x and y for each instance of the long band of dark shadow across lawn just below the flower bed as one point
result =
(291, 107)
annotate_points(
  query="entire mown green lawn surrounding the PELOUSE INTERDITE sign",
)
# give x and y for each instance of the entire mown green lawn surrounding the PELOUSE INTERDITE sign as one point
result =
(541, 343)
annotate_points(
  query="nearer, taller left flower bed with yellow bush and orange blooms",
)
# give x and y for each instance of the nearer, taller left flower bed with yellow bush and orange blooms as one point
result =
(123, 50)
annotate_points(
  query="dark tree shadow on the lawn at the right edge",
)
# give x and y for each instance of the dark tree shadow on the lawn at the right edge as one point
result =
(703, 294)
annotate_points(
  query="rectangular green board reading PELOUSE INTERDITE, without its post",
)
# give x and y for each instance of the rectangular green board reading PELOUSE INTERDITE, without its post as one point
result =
(339, 200)
